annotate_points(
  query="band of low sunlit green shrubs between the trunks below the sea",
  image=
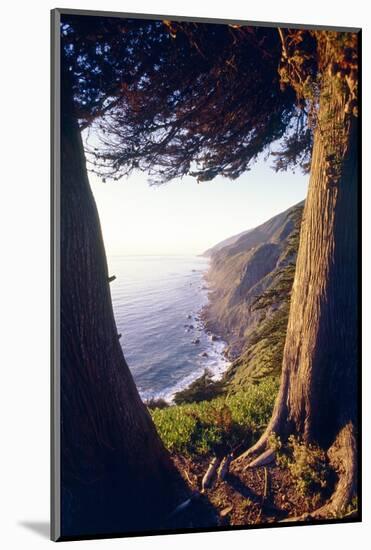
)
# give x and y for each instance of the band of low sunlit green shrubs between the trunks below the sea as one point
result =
(219, 425)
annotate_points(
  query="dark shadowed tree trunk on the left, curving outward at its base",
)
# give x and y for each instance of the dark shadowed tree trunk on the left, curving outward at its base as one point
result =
(116, 474)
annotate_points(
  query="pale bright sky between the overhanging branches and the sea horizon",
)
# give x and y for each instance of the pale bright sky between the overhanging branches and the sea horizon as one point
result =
(186, 217)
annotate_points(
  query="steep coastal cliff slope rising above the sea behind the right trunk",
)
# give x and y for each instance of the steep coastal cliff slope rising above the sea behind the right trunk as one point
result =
(250, 282)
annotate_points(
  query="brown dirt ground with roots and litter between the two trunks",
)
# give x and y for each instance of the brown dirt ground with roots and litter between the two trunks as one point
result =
(246, 497)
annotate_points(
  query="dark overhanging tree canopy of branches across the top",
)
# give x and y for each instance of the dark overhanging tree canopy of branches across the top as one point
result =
(177, 98)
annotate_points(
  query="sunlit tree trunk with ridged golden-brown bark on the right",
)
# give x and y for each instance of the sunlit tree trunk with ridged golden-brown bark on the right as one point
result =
(318, 393)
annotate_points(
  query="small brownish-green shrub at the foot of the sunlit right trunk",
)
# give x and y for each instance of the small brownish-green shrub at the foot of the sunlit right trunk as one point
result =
(307, 463)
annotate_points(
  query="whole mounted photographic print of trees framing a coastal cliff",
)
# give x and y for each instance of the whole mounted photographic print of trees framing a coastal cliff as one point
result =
(205, 286)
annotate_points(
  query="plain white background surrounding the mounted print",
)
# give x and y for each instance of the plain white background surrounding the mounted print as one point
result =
(24, 248)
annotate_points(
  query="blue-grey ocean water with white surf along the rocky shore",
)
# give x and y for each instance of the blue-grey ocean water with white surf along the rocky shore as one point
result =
(154, 299)
